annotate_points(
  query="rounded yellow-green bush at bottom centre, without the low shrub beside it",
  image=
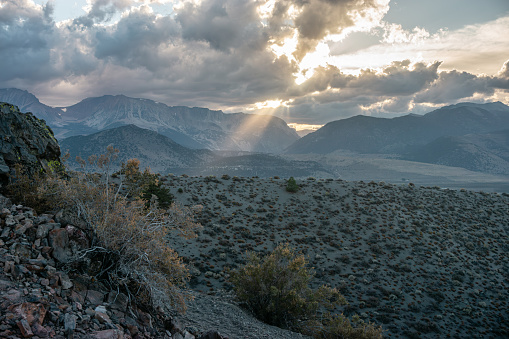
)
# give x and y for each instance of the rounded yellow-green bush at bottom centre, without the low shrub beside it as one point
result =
(276, 289)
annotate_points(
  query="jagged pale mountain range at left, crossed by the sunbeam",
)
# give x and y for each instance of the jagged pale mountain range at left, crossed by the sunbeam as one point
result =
(191, 127)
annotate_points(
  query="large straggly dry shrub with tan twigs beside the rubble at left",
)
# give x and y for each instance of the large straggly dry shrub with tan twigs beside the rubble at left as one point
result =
(131, 239)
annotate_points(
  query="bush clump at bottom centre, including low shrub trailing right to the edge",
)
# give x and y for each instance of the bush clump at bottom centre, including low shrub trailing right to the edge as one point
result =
(276, 290)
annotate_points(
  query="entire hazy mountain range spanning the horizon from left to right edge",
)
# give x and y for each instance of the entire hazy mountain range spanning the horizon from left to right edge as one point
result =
(468, 135)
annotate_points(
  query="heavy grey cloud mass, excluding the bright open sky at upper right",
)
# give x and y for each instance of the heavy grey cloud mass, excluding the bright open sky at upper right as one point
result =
(216, 54)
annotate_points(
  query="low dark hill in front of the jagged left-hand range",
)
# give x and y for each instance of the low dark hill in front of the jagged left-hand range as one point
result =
(163, 155)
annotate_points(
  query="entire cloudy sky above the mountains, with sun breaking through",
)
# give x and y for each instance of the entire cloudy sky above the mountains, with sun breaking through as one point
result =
(307, 61)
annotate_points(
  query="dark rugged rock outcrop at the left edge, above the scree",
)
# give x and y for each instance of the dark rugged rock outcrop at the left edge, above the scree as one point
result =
(25, 140)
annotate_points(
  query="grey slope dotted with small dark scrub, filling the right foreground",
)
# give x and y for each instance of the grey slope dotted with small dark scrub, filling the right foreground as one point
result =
(423, 262)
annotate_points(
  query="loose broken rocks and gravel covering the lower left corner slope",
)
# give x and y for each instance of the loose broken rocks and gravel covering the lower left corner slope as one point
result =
(43, 295)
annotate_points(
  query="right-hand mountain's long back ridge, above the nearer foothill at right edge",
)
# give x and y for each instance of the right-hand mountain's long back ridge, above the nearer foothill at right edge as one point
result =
(363, 134)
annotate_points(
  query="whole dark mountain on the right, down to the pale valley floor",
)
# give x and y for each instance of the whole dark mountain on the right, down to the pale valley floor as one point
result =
(467, 135)
